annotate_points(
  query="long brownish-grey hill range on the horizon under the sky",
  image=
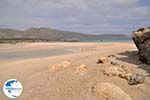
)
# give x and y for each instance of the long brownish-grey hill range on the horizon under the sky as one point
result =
(49, 34)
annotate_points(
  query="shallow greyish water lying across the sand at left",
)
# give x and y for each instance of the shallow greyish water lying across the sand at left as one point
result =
(14, 55)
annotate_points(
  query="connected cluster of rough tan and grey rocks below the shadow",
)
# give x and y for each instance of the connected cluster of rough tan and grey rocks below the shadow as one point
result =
(121, 71)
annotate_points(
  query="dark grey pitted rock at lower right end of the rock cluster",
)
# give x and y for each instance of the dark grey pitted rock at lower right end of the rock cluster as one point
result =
(135, 79)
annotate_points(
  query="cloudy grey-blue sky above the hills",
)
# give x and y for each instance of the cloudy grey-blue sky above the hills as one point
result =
(86, 16)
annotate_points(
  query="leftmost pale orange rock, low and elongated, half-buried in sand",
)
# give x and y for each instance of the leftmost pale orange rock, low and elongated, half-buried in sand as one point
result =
(63, 64)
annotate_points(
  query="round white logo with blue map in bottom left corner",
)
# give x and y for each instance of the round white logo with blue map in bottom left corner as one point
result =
(12, 88)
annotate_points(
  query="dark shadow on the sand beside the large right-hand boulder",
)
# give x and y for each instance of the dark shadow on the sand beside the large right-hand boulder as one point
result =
(133, 58)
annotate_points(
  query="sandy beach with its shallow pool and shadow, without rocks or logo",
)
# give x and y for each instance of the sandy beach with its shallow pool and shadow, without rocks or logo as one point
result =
(40, 82)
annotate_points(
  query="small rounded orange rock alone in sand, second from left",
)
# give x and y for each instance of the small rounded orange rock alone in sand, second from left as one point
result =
(82, 69)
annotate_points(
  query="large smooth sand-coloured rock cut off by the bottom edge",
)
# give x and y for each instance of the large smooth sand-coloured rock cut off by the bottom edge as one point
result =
(108, 91)
